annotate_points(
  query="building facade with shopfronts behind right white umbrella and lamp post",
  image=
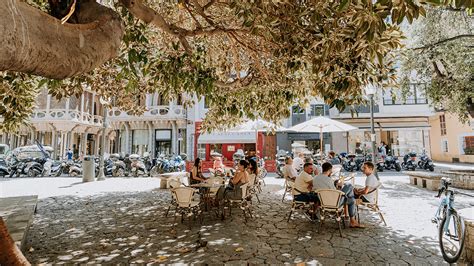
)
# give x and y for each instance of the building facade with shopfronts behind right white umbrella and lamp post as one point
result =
(402, 124)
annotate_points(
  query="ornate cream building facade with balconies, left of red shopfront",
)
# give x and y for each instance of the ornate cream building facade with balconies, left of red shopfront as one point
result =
(76, 123)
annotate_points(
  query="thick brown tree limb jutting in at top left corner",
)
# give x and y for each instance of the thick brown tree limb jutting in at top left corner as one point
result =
(36, 43)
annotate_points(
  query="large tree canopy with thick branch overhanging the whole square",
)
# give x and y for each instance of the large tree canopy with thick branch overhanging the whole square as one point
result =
(248, 58)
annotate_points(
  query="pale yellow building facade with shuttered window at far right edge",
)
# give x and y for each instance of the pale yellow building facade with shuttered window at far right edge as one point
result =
(451, 140)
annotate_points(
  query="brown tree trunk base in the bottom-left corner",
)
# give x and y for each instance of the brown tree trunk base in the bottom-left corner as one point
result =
(10, 254)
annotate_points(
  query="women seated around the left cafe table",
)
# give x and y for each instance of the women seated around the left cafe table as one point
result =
(247, 171)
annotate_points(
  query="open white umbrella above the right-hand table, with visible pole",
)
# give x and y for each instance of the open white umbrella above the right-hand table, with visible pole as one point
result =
(322, 125)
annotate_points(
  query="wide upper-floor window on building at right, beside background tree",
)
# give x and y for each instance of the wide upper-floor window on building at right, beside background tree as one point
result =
(415, 95)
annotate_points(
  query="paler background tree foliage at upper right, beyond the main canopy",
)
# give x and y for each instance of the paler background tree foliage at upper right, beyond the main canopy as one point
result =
(442, 55)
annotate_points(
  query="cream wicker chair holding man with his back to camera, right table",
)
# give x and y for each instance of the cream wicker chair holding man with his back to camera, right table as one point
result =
(330, 200)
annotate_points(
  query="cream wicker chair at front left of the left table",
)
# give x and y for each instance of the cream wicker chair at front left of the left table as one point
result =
(185, 205)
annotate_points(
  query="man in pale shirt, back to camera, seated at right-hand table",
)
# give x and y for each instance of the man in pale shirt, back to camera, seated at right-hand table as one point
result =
(324, 181)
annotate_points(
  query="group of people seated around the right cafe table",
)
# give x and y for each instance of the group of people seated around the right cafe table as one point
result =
(310, 180)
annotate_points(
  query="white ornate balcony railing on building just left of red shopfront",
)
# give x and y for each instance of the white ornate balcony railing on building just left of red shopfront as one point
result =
(153, 112)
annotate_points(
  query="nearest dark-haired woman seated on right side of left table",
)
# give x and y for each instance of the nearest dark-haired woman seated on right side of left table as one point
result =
(233, 190)
